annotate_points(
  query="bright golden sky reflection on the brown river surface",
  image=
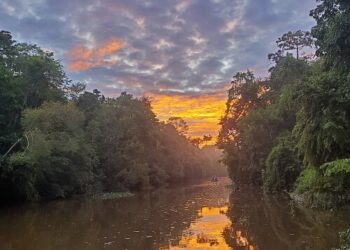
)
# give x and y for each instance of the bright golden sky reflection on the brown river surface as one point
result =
(206, 232)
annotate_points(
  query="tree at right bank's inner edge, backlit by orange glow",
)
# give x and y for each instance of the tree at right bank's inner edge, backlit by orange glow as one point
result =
(245, 95)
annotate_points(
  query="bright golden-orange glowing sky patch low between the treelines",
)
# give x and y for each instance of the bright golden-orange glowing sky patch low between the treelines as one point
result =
(202, 113)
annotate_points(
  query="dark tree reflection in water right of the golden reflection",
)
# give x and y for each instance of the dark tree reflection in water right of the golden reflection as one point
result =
(270, 222)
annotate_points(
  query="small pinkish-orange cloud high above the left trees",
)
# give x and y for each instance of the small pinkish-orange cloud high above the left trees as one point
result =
(82, 58)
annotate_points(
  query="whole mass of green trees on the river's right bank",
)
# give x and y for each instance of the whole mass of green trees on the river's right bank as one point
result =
(291, 131)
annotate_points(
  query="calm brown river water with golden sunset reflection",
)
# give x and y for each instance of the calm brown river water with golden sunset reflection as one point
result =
(202, 216)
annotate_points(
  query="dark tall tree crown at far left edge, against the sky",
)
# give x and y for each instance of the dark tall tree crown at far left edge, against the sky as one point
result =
(29, 76)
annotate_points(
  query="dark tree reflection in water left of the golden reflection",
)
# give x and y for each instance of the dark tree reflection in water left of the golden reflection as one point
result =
(147, 221)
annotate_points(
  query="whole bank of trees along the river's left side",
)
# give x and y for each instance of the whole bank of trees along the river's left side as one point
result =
(57, 139)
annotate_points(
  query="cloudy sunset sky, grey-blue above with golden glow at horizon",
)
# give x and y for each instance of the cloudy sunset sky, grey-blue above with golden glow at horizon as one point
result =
(181, 53)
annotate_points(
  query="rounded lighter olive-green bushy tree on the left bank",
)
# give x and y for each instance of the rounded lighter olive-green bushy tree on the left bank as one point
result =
(58, 156)
